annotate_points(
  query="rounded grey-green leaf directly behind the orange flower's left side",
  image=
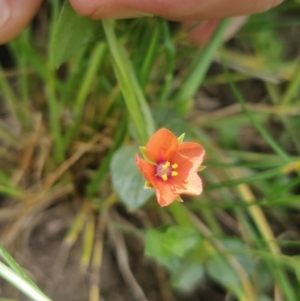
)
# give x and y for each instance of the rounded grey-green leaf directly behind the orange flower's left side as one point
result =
(127, 180)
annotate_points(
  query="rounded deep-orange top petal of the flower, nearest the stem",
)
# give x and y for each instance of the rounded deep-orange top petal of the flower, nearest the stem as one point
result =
(161, 146)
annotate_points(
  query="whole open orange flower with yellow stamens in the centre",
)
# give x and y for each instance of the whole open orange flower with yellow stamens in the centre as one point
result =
(170, 167)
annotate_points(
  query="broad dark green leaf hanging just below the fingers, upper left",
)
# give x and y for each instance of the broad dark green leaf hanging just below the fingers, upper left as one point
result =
(71, 34)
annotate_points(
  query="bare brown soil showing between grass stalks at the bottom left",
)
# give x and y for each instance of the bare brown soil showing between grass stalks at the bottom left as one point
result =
(37, 251)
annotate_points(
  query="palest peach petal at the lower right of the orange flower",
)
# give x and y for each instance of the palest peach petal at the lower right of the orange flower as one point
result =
(191, 186)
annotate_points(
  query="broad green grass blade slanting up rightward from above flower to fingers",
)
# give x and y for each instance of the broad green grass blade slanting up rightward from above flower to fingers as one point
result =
(195, 79)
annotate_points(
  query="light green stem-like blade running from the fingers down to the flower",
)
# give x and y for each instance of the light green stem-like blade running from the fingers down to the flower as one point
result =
(134, 98)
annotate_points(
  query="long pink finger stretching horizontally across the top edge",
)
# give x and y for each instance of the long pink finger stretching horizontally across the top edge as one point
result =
(177, 10)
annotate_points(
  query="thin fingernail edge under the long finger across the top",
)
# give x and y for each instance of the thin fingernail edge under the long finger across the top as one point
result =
(119, 14)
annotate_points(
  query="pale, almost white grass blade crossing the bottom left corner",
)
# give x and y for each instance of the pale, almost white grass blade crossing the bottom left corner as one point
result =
(27, 288)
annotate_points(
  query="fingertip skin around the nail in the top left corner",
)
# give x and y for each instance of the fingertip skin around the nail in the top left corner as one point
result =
(21, 13)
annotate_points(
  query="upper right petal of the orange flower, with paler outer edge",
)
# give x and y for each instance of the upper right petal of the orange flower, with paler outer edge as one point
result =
(194, 152)
